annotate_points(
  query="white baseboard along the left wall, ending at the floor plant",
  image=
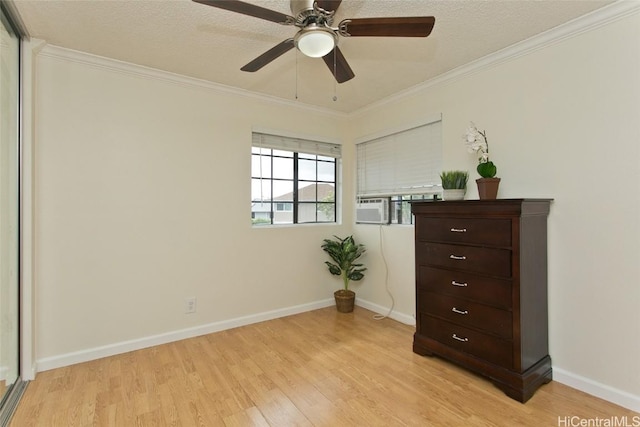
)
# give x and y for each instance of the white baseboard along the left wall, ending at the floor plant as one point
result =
(62, 360)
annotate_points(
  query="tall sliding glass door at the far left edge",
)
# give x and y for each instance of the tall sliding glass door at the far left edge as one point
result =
(9, 202)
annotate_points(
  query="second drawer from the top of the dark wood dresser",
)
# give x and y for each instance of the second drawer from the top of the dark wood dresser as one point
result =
(496, 262)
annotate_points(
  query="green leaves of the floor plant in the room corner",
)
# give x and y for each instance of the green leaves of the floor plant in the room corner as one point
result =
(344, 253)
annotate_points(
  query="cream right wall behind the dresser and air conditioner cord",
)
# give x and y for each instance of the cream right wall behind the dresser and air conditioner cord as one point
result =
(562, 122)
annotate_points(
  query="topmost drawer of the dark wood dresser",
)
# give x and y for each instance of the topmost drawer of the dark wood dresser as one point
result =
(481, 231)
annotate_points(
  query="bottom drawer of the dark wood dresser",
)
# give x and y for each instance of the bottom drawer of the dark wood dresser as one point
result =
(487, 347)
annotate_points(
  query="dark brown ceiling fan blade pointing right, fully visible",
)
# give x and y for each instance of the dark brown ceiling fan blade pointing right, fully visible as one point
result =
(417, 26)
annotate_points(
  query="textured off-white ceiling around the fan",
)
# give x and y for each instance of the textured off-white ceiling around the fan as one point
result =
(200, 41)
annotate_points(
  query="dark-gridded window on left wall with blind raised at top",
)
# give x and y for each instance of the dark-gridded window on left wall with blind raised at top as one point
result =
(293, 181)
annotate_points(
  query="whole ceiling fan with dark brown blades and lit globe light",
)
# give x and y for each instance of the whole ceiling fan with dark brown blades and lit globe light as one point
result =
(317, 37)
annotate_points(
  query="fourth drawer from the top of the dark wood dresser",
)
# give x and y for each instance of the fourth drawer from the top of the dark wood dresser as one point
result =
(467, 313)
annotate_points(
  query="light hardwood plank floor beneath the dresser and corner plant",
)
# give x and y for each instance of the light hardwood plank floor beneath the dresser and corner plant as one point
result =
(320, 368)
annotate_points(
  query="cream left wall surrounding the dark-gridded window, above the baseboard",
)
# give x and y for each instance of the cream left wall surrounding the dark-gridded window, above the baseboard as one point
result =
(143, 199)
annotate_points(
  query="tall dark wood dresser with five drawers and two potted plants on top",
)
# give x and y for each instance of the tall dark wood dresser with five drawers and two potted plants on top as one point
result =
(481, 289)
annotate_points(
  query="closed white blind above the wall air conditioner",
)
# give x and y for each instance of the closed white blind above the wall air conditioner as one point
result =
(406, 162)
